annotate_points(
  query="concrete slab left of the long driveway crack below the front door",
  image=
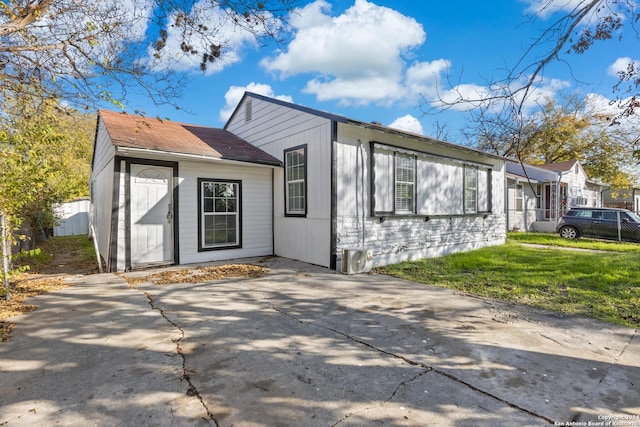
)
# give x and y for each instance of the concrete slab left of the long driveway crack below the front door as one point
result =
(94, 354)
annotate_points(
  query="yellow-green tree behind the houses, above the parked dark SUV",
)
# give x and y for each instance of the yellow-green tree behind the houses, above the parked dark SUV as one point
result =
(559, 132)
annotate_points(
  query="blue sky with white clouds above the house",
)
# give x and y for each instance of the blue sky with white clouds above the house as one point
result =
(376, 60)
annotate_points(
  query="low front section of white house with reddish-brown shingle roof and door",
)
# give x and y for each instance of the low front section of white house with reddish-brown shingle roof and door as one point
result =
(164, 192)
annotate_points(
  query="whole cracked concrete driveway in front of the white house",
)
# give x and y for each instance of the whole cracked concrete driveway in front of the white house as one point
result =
(304, 346)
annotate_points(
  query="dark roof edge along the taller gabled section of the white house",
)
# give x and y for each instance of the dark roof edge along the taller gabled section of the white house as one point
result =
(365, 125)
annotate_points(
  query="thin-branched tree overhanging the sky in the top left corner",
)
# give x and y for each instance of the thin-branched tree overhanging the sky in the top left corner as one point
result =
(84, 52)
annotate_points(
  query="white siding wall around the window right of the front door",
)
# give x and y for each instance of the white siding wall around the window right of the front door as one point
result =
(256, 210)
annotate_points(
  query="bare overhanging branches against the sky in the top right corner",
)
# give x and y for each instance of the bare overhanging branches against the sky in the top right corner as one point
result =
(574, 28)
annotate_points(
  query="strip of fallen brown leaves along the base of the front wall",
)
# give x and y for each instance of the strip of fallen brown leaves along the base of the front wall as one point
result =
(198, 275)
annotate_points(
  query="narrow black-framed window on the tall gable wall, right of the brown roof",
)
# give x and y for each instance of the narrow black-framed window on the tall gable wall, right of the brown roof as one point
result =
(296, 181)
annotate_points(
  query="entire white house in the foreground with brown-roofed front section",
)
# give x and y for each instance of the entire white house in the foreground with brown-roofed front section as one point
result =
(311, 185)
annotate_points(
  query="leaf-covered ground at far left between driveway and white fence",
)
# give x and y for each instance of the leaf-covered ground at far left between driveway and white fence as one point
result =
(60, 258)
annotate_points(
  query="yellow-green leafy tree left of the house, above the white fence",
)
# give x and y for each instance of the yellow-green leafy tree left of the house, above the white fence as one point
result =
(45, 152)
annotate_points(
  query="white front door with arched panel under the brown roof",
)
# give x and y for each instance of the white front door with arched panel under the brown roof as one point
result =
(151, 214)
